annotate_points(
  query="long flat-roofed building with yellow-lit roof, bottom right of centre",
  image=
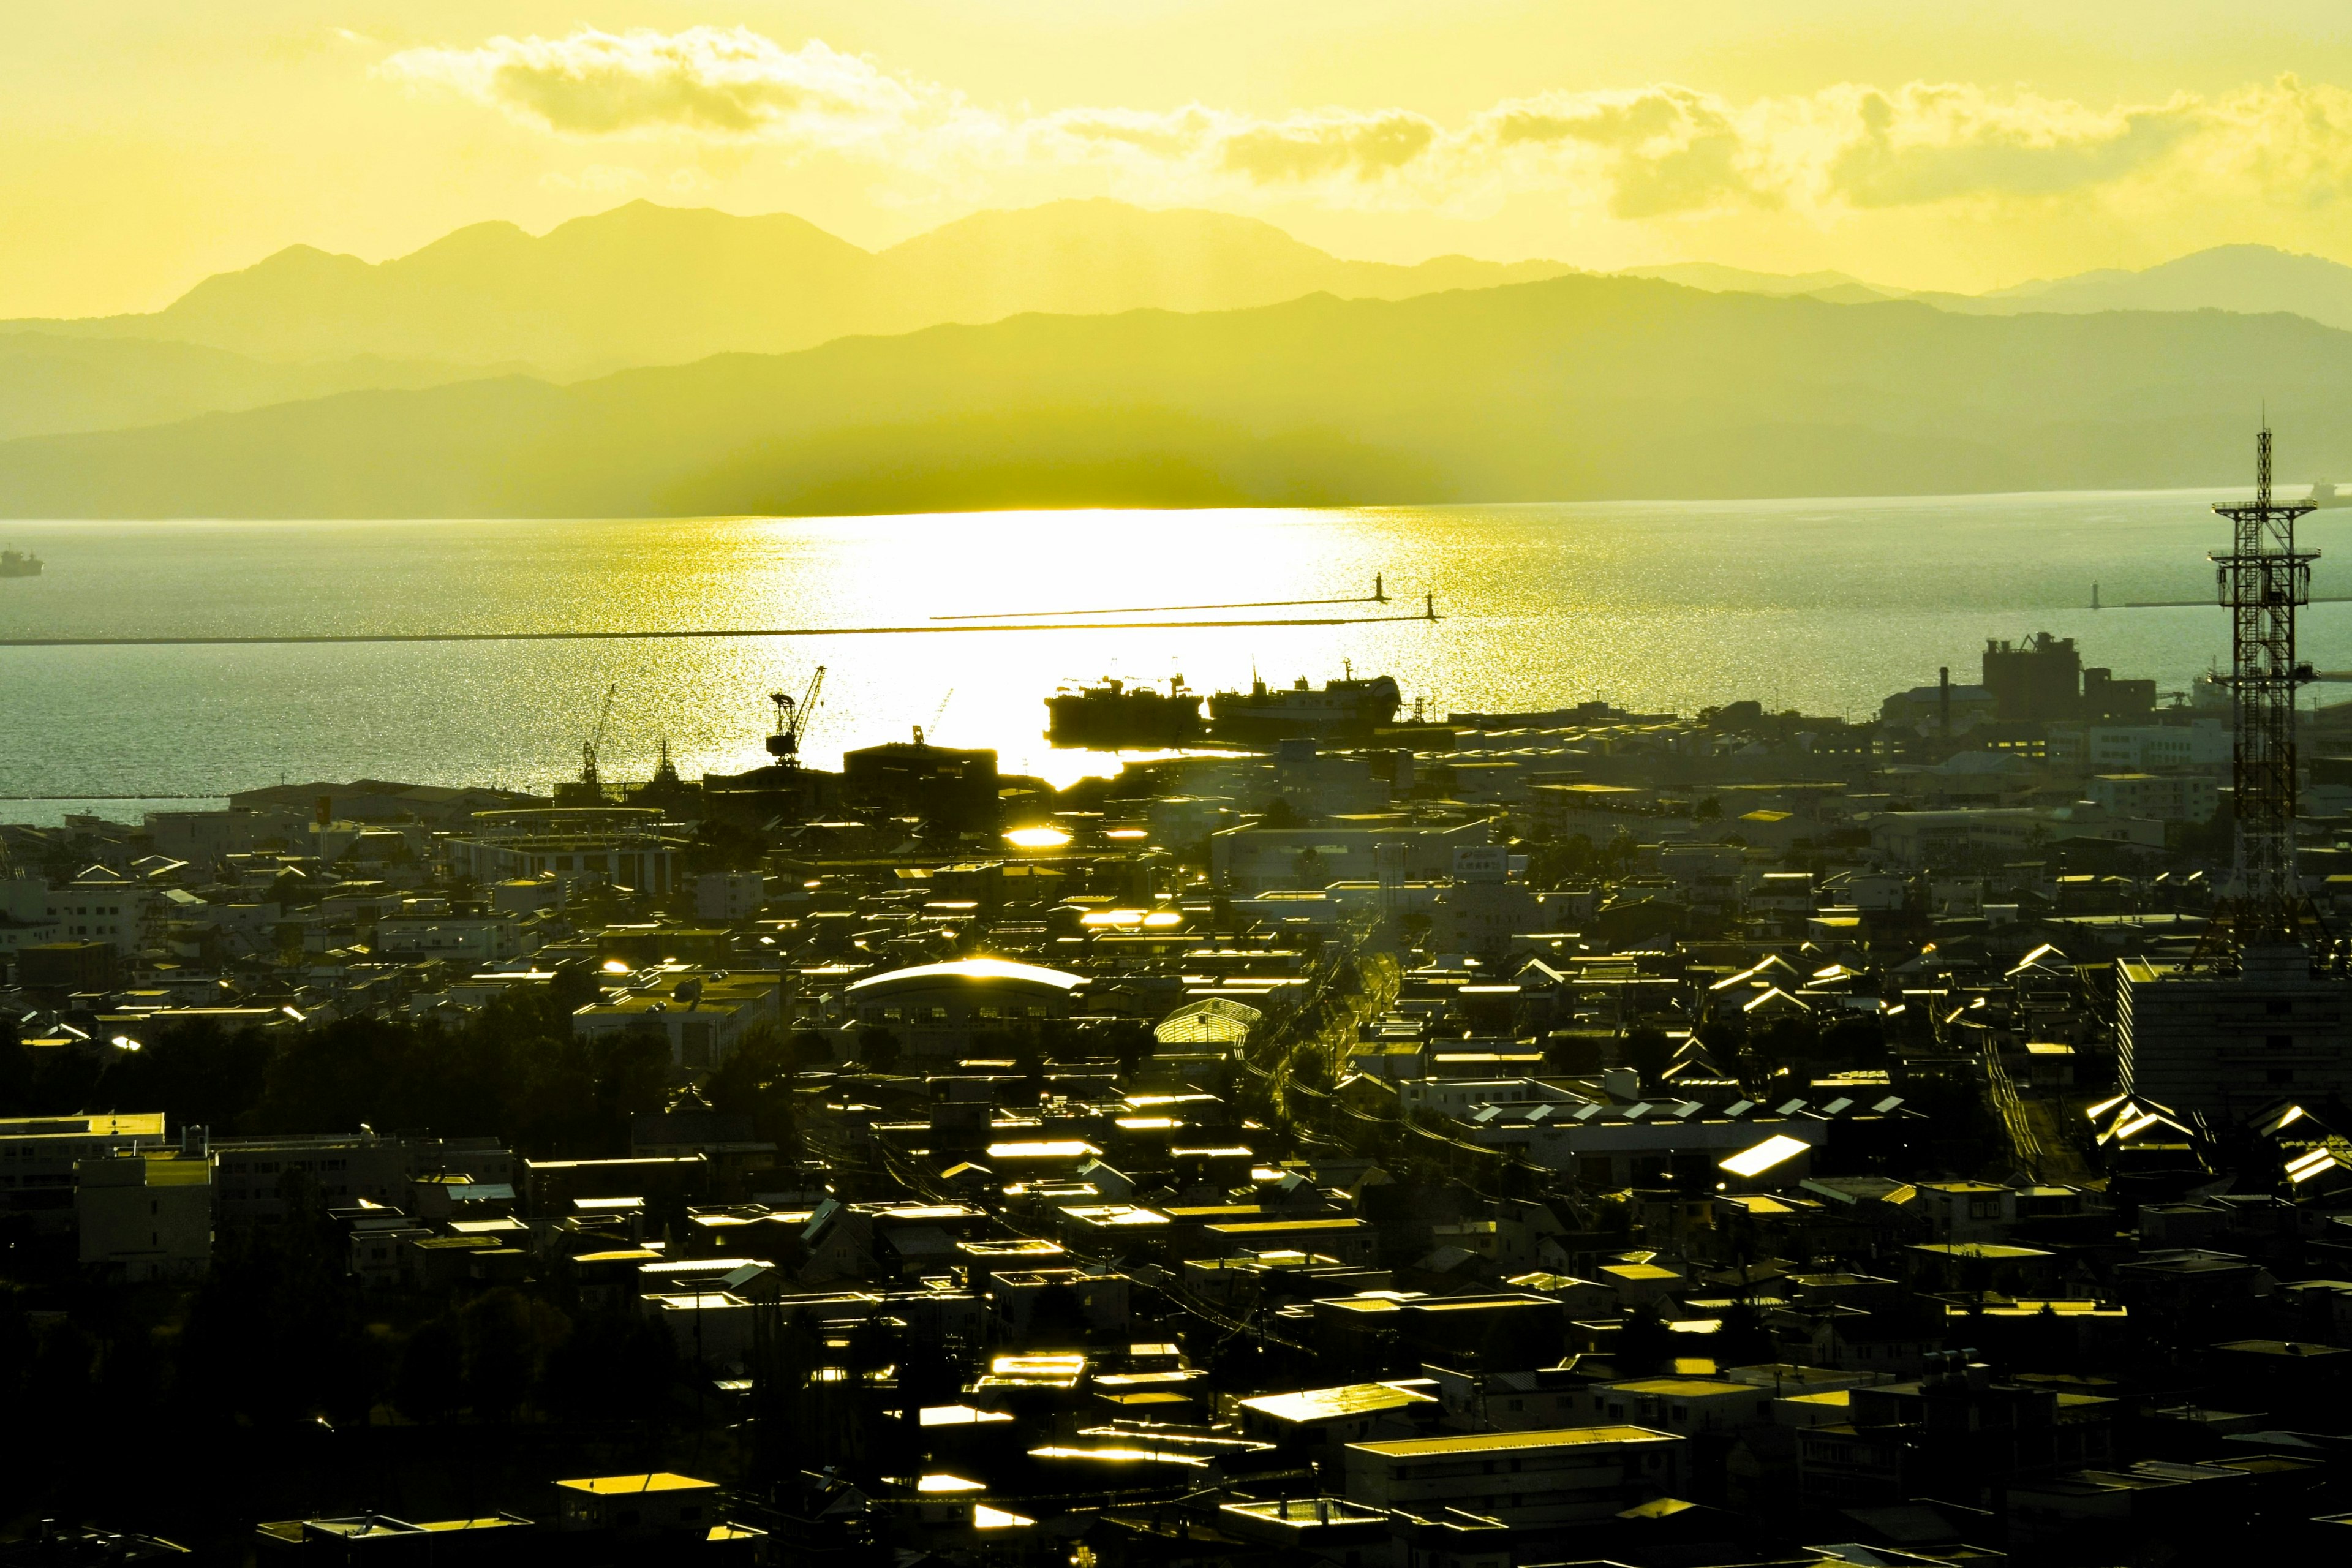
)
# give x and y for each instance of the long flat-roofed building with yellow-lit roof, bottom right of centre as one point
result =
(1561, 1475)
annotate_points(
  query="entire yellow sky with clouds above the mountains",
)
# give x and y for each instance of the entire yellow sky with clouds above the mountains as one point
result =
(1965, 147)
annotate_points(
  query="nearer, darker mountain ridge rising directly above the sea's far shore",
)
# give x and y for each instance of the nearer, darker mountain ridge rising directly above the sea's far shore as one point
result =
(1568, 389)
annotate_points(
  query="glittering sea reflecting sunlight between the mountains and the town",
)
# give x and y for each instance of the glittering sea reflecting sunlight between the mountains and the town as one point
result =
(1657, 605)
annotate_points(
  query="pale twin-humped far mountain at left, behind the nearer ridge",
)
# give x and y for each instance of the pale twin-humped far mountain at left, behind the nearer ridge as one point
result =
(664, 286)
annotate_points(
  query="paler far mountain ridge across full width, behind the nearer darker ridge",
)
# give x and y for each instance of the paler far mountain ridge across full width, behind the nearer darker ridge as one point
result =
(662, 286)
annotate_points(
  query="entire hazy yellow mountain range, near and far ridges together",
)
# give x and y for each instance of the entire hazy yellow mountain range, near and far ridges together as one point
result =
(1093, 351)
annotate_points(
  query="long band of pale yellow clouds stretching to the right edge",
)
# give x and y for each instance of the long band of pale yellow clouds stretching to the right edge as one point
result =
(1636, 154)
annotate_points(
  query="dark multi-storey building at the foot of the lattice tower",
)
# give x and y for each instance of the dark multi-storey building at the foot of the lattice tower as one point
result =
(2231, 1043)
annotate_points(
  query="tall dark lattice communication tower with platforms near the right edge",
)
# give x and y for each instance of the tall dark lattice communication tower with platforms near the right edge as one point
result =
(2264, 579)
